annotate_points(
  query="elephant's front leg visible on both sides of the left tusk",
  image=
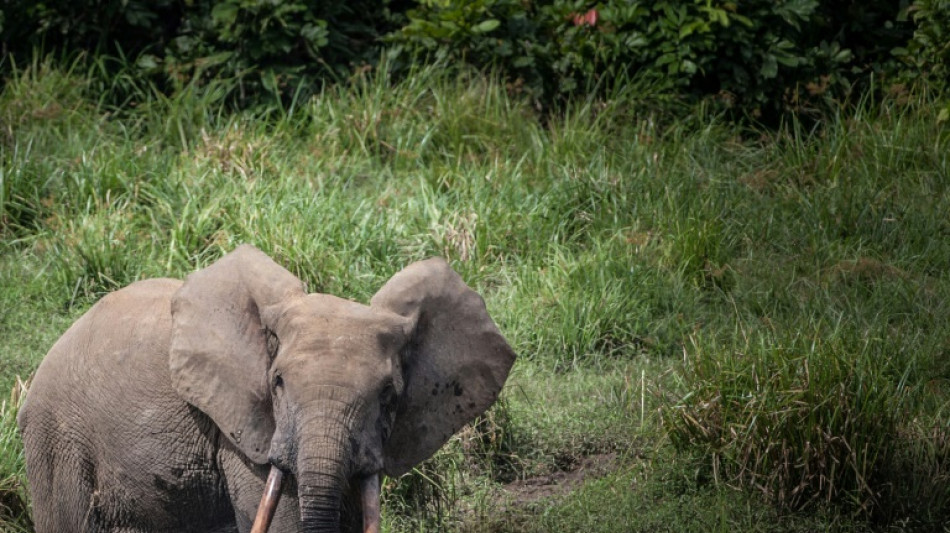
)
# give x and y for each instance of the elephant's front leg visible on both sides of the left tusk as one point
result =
(245, 481)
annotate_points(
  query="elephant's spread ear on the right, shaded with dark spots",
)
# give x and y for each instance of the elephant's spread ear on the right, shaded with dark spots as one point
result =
(453, 367)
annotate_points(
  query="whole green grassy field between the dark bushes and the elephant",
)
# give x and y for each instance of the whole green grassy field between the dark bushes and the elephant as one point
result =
(719, 328)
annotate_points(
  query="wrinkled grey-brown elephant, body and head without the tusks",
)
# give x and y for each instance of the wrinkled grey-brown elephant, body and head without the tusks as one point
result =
(161, 408)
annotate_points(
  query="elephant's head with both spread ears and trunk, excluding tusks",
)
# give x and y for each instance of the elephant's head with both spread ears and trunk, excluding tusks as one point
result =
(332, 391)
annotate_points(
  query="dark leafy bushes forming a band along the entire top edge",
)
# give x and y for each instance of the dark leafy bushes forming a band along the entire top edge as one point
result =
(758, 56)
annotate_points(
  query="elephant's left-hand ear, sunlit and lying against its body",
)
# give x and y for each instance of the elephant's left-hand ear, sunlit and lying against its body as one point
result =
(220, 353)
